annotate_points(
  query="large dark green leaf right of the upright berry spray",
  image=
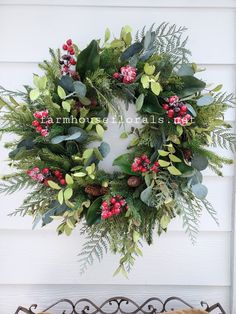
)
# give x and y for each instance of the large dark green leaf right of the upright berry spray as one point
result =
(88, 59)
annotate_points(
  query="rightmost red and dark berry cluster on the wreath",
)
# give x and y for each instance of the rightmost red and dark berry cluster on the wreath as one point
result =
(177, 110)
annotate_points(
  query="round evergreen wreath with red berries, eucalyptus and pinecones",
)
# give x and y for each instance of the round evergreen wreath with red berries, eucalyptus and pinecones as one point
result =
(60, 124)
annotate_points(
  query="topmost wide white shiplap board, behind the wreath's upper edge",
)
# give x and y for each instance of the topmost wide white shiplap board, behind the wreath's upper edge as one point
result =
(36, 36)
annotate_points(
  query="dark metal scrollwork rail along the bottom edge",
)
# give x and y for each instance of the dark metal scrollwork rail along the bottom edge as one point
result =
(120, 305)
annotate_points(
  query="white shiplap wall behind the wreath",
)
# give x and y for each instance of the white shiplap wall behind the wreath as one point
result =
(37, 266)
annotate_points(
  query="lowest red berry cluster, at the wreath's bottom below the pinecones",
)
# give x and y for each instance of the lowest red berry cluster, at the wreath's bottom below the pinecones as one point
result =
(114, 207)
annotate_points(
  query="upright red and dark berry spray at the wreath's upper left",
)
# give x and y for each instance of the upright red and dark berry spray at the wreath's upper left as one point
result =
(67, 60)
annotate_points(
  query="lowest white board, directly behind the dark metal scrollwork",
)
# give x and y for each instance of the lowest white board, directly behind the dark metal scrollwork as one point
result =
(13, 295)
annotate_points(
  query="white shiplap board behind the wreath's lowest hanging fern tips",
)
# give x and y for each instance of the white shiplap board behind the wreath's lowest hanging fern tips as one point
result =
(42, 257)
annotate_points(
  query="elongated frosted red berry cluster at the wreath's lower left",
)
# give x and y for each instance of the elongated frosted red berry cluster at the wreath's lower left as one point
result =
(45, 175)
